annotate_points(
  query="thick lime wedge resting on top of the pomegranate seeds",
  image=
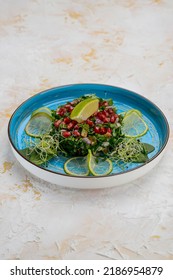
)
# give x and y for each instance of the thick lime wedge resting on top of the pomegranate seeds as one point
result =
(84, 109)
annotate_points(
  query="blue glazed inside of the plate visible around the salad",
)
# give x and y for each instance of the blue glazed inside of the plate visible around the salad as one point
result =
(123, 100)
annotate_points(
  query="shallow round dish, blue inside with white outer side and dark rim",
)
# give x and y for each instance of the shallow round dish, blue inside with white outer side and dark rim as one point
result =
(123, 99)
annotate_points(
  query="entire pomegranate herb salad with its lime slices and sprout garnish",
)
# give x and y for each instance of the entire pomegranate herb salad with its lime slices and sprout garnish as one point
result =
(90, 133)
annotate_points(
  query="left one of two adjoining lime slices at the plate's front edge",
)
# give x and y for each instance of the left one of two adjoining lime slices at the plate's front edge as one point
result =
(76, 166)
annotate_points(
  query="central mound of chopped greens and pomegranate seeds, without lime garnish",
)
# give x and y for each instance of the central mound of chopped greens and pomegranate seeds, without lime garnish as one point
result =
(97, 132)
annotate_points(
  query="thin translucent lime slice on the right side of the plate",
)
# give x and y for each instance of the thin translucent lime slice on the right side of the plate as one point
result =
(133, 125)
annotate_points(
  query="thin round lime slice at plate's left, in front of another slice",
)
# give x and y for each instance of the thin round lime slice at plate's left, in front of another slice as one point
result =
(39, 125)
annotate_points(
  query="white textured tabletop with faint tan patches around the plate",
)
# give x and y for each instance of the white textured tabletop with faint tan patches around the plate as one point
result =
(43, 44)
